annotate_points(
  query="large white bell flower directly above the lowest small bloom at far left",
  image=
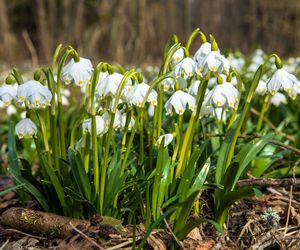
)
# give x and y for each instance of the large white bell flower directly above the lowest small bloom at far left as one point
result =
(34, 94)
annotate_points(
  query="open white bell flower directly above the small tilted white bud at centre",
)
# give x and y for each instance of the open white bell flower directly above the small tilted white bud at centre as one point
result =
(179, 101)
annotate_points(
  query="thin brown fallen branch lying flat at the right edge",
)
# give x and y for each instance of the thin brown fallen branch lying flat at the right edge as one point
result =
(269, 182)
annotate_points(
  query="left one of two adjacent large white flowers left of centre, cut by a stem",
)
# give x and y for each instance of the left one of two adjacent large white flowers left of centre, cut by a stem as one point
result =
(108, 85)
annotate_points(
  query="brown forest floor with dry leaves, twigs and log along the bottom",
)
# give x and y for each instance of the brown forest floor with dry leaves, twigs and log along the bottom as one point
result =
(246, 228)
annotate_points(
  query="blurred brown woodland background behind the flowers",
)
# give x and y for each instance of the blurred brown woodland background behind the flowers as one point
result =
(135, 31)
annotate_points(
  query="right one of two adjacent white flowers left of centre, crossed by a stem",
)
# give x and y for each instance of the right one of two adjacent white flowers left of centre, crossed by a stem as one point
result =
(138, 93)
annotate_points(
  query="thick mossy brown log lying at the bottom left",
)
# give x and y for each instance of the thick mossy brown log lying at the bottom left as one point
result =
(41, 222)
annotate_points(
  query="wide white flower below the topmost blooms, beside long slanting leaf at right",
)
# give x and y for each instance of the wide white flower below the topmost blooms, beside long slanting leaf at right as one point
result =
(223, 95)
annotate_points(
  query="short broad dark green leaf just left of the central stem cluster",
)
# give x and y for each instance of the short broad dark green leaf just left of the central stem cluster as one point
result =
(80, 176)
